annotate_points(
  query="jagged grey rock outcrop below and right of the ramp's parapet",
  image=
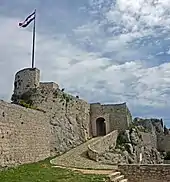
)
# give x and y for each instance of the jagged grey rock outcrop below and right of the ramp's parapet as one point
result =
(129, 148)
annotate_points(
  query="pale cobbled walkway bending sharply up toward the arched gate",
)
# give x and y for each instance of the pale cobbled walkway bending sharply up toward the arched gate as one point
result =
(77, 158)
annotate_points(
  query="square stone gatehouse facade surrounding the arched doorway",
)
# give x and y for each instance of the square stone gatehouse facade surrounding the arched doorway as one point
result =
(116, 116)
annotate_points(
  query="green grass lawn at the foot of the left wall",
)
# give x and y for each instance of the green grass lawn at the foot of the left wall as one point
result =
(43, 172)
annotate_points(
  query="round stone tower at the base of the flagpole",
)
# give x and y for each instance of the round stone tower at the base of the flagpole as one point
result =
(26, 79)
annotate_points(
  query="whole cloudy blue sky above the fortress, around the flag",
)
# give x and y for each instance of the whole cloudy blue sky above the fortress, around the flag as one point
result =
(104, 51)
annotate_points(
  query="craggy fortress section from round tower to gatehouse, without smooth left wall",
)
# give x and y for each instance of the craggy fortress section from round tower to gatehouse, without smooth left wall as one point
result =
(72, 120)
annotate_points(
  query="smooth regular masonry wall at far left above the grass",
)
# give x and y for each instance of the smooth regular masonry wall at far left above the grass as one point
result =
(24, 135)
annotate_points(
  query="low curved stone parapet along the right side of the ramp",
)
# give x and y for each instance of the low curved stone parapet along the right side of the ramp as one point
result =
(101, 145)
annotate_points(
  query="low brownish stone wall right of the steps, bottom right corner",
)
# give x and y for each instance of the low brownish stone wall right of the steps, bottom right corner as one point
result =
(146, 173)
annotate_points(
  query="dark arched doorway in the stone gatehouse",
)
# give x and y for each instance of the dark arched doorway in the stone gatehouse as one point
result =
(101, 127)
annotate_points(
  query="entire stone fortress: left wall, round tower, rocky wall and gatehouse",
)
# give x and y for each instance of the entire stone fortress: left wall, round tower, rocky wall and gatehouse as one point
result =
(57, 121)
